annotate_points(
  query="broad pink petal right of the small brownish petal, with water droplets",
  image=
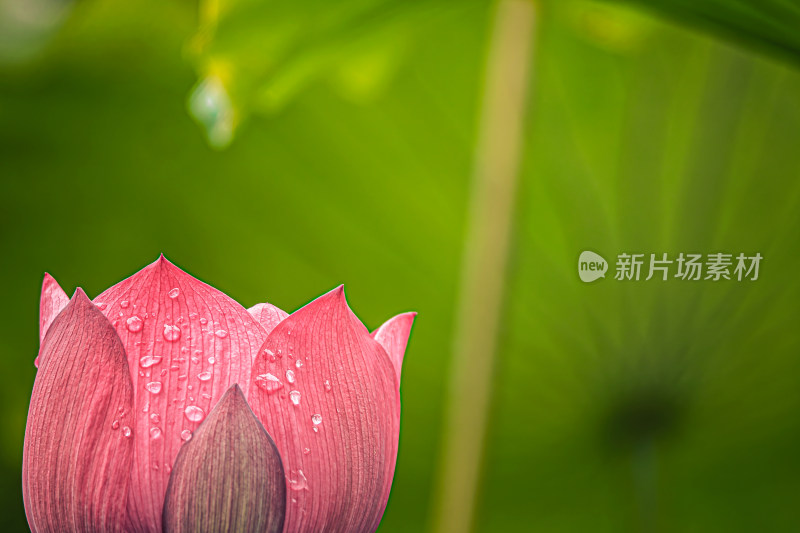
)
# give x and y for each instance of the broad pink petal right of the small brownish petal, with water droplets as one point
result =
(336, 425)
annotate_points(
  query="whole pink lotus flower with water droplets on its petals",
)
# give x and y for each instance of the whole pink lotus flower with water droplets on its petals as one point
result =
(165, 405)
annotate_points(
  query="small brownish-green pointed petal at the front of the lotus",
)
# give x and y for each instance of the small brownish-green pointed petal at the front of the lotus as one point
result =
(229, 477)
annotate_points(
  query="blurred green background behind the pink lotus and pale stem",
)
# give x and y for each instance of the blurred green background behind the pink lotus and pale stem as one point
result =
(276, 150)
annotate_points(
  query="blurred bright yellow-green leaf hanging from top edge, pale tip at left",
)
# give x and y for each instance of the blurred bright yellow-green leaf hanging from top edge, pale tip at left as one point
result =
(255, 57)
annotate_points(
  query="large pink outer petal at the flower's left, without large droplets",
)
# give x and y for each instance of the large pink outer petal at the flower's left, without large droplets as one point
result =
(78, 448)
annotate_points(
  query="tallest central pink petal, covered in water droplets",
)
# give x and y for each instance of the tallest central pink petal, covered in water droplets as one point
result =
(187, 343)
